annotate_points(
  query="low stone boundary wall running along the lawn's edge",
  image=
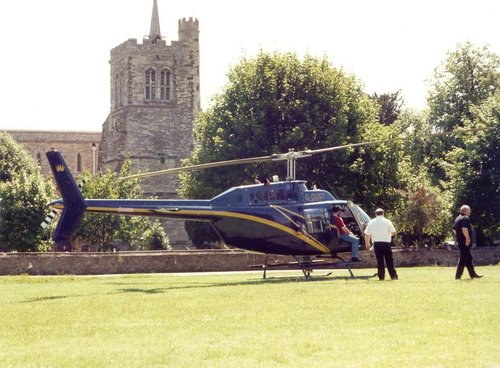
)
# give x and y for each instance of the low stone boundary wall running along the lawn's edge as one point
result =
(204, 261)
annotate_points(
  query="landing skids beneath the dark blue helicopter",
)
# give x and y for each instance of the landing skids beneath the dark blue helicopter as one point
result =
(307, 264)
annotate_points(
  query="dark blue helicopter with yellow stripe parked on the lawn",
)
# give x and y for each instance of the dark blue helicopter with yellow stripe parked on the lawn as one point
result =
(274, 217)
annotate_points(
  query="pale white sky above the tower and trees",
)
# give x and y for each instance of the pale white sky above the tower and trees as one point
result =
(54, 64)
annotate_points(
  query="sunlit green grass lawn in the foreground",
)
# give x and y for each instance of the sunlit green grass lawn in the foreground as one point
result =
(426, 319)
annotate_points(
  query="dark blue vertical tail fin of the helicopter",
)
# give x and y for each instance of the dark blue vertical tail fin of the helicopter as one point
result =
(74, 203)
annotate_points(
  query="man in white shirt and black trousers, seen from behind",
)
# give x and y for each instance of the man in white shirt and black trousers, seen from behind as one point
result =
(380, 230)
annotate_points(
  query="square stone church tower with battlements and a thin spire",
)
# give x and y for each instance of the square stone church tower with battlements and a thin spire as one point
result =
(155, 96)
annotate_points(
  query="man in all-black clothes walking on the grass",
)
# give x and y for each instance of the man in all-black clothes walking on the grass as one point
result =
(463, 231)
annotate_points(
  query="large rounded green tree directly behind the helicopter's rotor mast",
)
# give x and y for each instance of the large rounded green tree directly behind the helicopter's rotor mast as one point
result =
(276, 102)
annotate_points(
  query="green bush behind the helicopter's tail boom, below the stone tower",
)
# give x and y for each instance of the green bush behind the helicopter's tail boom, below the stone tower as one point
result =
(104, 229)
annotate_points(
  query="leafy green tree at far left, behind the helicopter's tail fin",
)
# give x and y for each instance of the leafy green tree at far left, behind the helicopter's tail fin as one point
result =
(24, 195)
